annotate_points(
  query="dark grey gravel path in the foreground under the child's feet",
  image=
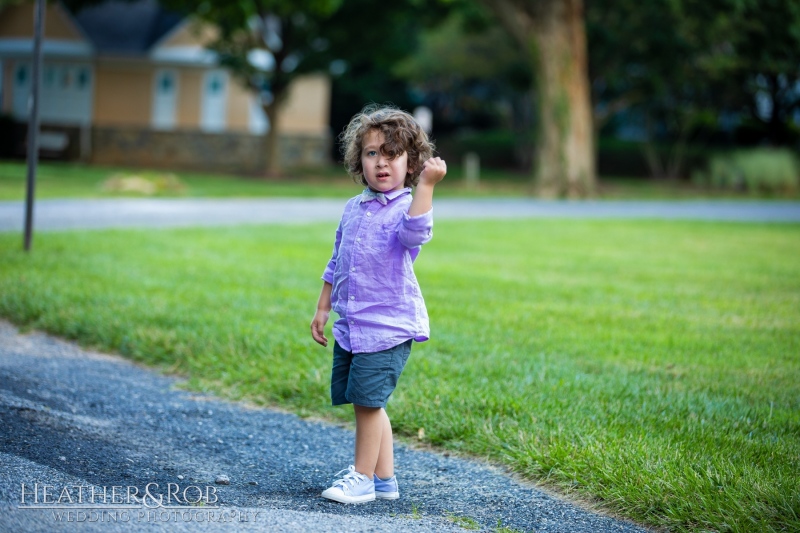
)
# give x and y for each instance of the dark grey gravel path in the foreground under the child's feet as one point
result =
(73, 418)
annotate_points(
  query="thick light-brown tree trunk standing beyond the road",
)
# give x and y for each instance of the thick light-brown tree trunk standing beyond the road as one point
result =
(554, 34)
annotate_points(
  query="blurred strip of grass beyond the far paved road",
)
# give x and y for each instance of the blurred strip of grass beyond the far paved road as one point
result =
(72, 180)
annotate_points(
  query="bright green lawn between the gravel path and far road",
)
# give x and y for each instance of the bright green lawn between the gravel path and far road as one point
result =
(651, 367)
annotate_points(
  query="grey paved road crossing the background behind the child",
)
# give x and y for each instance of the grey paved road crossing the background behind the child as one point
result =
(72, 214)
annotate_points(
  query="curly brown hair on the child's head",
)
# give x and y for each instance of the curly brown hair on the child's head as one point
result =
(401, 133)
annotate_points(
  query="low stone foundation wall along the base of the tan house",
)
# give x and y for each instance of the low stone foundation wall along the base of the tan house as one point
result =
(238, 153)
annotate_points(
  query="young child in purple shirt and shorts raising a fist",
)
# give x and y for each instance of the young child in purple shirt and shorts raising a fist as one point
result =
(370, 283)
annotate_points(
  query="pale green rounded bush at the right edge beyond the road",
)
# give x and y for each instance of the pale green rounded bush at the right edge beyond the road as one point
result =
(757, 169)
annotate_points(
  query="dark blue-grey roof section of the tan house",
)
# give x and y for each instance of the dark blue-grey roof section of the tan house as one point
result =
(126, 27)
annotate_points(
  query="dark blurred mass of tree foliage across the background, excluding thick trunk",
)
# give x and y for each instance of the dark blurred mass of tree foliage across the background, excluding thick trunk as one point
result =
(675, 84)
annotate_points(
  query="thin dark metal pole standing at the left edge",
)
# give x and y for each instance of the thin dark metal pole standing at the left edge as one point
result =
(33, 121)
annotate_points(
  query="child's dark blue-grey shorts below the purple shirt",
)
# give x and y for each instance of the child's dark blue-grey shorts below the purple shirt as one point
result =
(366, 379)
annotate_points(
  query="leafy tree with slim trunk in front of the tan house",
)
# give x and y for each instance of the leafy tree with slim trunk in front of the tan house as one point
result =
(356, 41)
